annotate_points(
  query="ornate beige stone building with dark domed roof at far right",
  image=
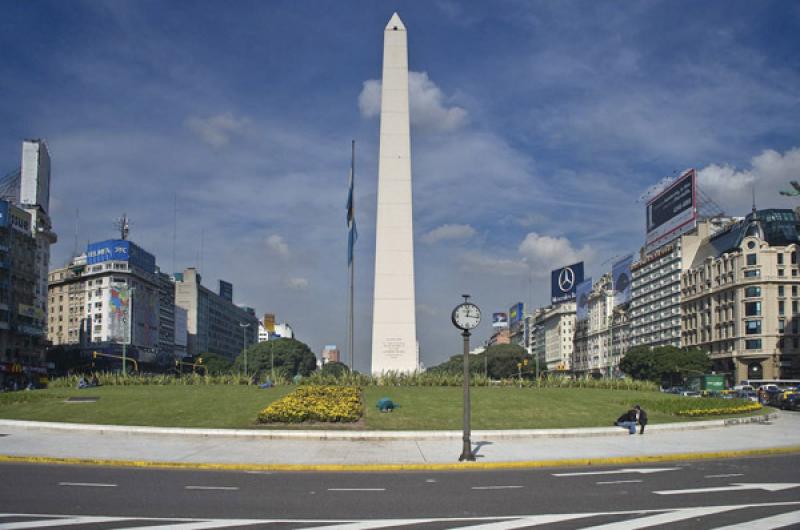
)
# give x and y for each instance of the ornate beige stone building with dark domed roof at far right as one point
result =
(741, 297)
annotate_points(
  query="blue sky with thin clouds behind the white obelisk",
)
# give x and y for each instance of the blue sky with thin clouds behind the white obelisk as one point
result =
(536, 127)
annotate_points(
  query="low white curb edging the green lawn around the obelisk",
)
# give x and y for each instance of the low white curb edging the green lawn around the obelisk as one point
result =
(377, 435)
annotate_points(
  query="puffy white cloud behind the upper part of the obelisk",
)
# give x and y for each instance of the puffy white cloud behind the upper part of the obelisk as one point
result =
(429, 109)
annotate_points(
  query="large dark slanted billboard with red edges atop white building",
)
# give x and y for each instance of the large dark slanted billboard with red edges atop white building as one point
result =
(673, 211)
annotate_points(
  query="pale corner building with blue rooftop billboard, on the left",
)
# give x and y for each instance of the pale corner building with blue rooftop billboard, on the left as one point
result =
(113, 299)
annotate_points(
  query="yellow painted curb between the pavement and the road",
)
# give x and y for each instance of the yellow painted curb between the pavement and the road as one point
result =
(466, 466)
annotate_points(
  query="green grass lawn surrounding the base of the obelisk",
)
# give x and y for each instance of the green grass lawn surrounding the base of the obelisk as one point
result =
(419, 408)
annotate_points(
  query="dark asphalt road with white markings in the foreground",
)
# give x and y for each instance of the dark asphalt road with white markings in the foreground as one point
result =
(699, 494)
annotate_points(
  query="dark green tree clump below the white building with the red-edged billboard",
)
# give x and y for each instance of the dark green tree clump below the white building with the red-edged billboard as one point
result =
(664, 363)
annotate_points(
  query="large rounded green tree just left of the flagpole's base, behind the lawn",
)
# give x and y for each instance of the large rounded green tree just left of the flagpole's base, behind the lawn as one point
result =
(290, 357)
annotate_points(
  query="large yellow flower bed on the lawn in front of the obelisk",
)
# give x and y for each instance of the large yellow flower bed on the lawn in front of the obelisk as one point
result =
(315, 403)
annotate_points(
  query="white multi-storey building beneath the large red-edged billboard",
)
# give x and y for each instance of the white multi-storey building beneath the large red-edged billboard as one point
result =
(655, 308)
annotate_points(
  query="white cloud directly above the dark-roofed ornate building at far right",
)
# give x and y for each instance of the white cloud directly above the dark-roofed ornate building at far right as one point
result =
(770, 172)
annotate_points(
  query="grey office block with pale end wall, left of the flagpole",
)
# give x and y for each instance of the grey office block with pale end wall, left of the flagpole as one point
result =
(214, 323)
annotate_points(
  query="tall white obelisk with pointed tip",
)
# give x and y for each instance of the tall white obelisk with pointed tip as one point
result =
(394, 326)
